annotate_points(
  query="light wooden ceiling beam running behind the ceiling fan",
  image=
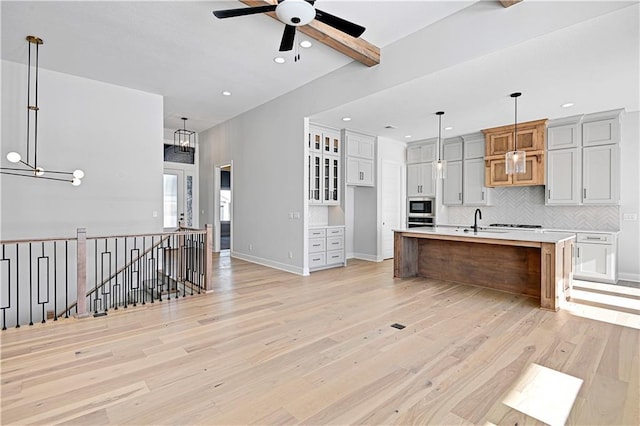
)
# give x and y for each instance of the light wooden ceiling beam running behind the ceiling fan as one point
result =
(355, 48)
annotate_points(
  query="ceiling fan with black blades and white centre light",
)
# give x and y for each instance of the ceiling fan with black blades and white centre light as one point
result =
(294, 13)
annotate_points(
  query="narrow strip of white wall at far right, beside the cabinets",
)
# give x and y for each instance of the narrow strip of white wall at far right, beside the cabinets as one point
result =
(629, 239)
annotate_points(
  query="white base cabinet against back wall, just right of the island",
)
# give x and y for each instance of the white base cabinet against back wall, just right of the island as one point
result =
(596, 257)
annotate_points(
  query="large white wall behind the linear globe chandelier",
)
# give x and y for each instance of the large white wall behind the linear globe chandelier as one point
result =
(112, 133)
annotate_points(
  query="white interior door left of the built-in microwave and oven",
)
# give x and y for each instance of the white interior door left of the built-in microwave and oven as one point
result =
(391, 204)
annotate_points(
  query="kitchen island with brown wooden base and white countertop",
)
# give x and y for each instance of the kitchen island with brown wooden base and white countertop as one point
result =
(534, 264)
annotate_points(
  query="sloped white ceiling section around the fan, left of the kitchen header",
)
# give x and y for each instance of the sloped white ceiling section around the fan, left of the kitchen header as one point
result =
(180, 50)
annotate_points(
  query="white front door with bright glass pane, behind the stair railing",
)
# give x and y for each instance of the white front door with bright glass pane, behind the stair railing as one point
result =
(178, 199)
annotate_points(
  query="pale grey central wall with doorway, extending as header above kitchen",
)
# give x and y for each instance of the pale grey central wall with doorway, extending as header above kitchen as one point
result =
(267, 143)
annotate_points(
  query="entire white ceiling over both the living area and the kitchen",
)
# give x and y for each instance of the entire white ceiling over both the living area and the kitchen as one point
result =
(181, 51)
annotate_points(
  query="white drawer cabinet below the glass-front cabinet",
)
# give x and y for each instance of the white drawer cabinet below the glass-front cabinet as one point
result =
(326, 247)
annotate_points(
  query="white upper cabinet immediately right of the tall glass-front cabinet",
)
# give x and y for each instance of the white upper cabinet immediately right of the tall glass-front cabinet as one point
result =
(360, 158)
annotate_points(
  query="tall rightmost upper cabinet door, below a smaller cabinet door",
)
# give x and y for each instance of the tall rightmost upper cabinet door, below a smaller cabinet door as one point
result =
(601, 174)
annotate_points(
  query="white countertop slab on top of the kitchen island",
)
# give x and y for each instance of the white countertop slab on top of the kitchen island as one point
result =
(442, 232)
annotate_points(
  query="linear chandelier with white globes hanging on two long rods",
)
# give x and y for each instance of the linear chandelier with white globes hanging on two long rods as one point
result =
(24, 166)
